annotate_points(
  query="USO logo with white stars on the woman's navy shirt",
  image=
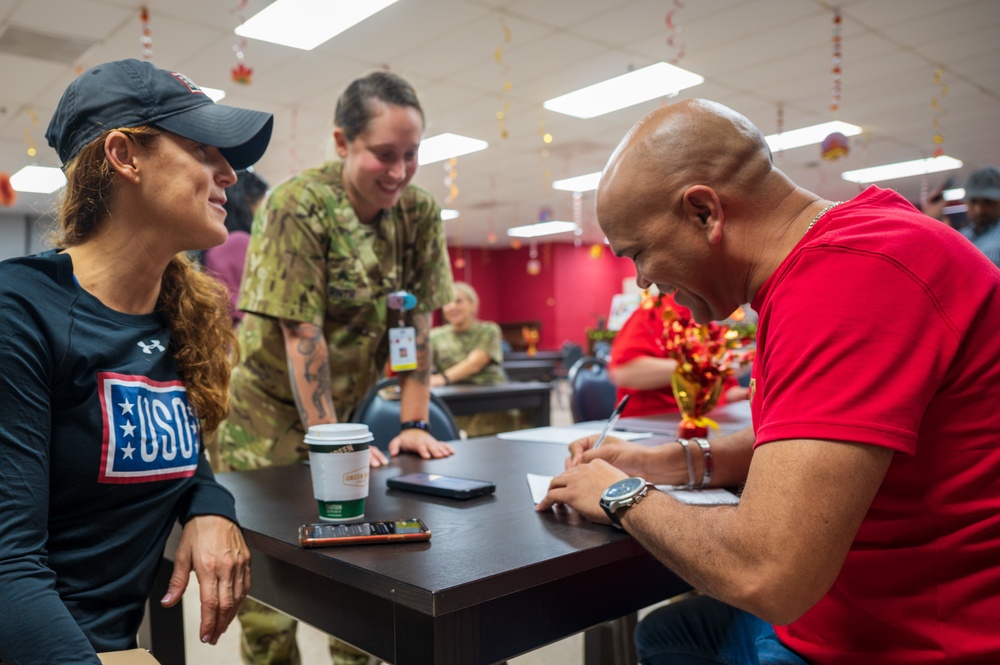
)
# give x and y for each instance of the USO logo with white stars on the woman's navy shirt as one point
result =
(150, 432)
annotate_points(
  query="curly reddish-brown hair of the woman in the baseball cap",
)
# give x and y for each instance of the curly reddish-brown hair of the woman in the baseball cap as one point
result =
(191, 304)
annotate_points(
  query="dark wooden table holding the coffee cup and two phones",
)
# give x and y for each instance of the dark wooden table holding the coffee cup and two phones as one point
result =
(496, 579)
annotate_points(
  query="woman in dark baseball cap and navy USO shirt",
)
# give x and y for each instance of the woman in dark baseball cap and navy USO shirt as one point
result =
(113, 351)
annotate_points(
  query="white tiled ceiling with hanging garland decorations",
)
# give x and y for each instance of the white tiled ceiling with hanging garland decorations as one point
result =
(754, 54)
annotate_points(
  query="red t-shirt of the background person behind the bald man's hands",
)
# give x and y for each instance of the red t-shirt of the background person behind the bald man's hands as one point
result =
(642, 336)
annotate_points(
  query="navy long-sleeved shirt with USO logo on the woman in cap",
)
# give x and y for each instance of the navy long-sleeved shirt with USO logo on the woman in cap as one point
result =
(100, 453)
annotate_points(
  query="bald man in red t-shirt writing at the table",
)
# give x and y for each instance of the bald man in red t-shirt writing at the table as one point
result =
(868, 529)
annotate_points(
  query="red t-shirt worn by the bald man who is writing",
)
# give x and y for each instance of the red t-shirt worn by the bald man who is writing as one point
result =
(881, 328)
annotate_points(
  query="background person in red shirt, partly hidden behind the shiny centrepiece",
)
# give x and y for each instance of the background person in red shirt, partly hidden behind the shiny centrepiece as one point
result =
(640, 366)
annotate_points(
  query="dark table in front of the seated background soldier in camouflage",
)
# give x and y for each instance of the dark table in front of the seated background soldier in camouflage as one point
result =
(532, 396)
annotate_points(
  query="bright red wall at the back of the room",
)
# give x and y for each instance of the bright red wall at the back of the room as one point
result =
(570, 293)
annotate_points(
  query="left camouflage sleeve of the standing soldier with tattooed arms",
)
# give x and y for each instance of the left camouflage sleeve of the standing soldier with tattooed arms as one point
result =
(286, 271)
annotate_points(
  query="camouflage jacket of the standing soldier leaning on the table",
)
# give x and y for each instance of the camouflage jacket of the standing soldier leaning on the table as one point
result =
(310, 259)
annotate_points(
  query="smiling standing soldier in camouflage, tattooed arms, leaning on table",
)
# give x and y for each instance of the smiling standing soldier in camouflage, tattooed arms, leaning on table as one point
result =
(327, 247)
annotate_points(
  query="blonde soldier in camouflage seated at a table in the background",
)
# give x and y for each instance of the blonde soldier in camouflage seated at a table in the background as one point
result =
(467, 350)
